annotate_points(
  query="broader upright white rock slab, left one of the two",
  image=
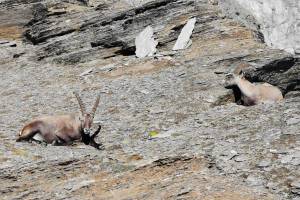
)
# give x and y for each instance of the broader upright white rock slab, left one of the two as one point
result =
(145, 43)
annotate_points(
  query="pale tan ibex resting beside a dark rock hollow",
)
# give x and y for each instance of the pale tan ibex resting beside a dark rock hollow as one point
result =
(253, 93)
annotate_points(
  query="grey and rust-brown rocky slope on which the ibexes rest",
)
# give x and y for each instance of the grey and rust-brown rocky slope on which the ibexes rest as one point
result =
(205, 145)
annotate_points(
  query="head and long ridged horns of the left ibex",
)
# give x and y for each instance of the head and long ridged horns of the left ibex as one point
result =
(87, 118)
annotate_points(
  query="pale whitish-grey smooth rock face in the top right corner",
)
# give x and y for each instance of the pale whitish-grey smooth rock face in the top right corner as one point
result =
(277, 20)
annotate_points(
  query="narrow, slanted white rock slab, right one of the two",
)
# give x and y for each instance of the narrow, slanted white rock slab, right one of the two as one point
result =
(184, 40)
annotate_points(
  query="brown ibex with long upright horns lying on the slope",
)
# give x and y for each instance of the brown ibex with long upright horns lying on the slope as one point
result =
(63, 129)
